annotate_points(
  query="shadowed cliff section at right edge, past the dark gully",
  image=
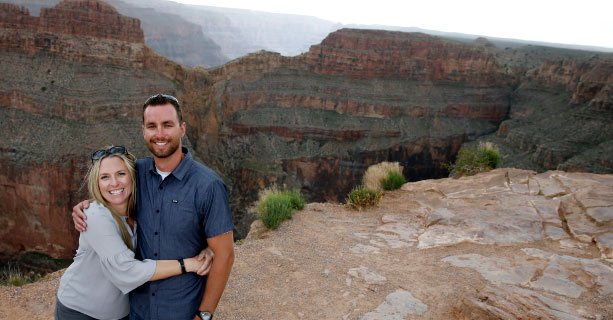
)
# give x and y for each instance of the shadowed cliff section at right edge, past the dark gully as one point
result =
(560, 114)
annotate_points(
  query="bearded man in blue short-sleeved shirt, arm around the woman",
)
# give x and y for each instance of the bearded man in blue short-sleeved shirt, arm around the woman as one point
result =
(181, 204)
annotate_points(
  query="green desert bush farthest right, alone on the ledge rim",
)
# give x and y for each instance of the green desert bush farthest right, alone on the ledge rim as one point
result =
(472, 160)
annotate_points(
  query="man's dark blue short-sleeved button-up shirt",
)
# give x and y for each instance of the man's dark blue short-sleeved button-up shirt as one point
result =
(175, 217)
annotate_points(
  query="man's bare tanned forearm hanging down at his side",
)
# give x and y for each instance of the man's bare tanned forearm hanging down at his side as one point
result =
(223, 248)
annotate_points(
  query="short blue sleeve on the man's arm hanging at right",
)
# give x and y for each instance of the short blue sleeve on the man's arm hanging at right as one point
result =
(217, 214)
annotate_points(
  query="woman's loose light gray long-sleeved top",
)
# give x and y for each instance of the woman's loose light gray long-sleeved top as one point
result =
(104, 269)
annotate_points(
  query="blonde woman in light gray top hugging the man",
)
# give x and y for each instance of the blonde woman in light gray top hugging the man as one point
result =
(104, 270)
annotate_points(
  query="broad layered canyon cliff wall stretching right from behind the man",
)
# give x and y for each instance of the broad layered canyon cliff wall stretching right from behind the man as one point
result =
(316, 121)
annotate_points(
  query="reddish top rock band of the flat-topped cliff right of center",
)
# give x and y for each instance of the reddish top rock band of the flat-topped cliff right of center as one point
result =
(373, 54)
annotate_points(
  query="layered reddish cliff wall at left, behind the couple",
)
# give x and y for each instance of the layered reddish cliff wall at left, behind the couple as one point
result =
(71, 81)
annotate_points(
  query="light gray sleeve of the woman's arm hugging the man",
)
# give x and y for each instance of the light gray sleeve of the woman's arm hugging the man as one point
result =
(116, 259)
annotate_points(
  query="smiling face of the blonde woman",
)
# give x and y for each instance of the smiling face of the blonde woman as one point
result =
(115, 183)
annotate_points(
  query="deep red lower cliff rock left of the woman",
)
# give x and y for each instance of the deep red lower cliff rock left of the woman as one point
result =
(34, 206)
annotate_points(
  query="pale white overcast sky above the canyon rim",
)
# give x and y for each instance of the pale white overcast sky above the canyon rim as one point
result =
(583, 22)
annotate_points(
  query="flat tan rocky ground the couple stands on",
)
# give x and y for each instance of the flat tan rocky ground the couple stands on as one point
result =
(506, 244)
